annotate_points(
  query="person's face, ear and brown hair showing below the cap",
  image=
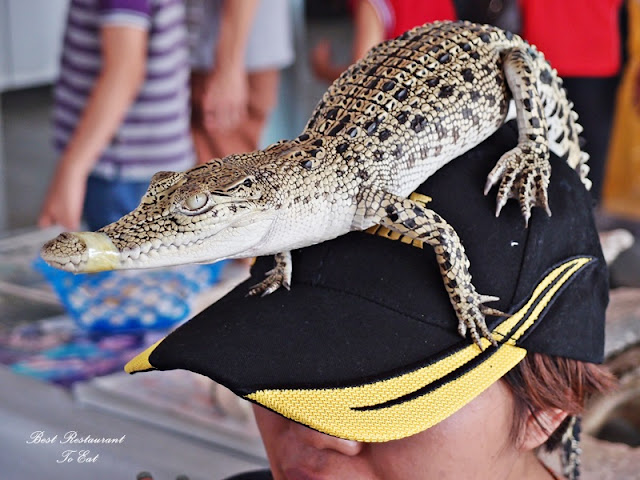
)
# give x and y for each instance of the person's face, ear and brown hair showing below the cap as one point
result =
(494, 436)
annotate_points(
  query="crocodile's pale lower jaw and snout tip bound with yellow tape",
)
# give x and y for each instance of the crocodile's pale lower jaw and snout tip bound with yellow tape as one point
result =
(87, 252)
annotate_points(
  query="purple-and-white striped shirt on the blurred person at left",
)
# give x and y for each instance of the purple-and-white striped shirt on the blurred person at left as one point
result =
(154, 134)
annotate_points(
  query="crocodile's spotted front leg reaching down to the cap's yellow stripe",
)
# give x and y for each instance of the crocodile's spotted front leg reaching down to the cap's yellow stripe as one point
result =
(411, 219)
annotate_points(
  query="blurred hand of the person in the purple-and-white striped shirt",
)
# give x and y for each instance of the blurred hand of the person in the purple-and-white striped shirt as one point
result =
(64, 200)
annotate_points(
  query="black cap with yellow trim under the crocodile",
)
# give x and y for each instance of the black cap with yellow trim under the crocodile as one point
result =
(365, 345)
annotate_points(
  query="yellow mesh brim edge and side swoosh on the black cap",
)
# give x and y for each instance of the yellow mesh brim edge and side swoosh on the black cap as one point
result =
(386, 410)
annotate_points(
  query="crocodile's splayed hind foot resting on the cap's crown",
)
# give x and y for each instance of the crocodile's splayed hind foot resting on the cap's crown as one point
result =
(523, 173)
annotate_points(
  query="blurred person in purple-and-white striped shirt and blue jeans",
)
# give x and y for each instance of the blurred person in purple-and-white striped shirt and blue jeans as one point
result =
(121, 108)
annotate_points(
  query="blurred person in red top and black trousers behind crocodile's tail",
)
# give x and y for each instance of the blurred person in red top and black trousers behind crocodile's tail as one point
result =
(582, 41)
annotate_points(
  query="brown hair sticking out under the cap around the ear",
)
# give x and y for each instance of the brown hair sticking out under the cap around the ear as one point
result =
(541, 382)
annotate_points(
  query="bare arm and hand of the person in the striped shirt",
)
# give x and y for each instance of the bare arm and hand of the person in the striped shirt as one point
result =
(123, 71)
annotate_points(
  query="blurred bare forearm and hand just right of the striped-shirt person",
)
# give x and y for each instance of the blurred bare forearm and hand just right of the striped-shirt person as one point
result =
(226, 92)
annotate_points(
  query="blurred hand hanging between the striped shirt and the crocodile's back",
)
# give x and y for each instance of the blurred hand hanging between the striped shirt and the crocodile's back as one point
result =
(225, 99)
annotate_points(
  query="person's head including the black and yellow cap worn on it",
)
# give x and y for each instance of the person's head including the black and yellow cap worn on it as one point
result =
(358, 372)
